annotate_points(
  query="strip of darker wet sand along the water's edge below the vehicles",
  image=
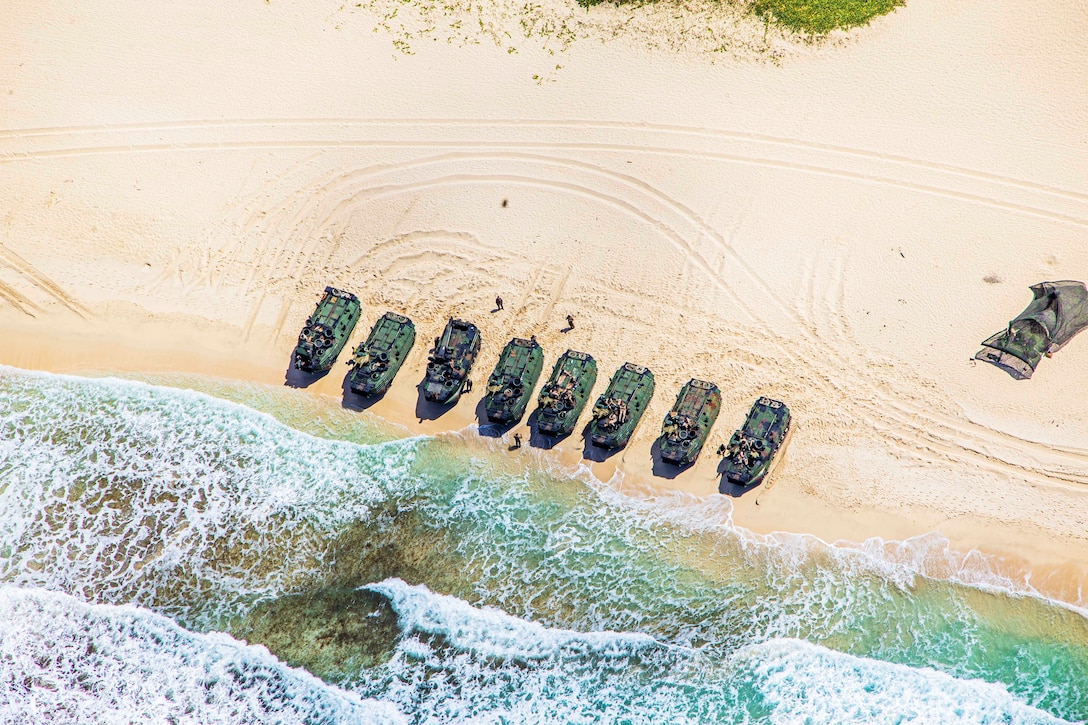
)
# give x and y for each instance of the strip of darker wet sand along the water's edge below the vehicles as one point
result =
(1035, 563)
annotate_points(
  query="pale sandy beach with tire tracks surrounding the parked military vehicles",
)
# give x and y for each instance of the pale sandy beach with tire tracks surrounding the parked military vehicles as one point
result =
(837, 227)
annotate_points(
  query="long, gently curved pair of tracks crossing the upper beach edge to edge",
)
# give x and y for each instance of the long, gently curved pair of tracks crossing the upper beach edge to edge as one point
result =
(863, 166)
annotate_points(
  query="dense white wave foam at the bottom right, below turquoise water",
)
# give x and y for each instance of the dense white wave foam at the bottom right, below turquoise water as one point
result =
(806, 683)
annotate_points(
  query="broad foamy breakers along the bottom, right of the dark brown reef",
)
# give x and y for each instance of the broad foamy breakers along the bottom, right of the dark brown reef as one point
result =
(565, 677)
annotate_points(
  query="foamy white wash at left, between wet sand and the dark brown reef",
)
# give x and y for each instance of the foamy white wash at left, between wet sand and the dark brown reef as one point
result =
(121, 491)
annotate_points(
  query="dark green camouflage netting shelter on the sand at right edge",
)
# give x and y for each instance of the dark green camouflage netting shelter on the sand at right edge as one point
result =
(1059, 312)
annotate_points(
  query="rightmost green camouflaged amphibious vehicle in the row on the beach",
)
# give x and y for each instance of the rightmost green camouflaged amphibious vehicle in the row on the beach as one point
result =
(752, 450)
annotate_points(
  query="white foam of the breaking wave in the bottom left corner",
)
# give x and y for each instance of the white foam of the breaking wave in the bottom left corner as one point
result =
(64, 661)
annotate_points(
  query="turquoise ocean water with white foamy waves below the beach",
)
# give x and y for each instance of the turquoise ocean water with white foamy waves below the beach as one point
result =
(199, 551)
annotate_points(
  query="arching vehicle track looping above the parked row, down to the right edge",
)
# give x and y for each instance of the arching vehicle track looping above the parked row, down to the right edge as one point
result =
(916, 426)
